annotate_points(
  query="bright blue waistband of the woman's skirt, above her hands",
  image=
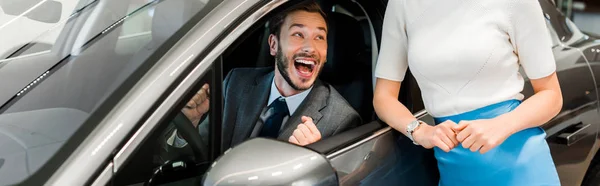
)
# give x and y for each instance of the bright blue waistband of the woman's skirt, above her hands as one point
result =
(483, 112)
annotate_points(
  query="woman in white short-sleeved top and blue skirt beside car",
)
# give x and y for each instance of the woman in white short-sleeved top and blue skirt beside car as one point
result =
(465, 56)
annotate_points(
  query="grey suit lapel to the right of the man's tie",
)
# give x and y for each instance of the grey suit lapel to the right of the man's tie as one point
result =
(312, 105)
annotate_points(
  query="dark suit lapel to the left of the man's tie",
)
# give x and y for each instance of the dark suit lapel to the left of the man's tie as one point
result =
(253, 100)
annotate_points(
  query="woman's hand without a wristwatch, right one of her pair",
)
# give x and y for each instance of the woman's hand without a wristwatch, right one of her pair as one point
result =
(482, 135)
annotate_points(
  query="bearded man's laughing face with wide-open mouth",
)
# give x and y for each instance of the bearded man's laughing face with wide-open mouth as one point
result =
(301, 49)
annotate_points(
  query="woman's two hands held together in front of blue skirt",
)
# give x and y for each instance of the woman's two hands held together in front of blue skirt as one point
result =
(477, 135)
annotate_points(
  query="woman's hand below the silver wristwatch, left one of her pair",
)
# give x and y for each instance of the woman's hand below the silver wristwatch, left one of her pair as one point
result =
(441, 136)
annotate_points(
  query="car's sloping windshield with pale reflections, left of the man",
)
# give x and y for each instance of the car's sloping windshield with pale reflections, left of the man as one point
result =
(49, 95)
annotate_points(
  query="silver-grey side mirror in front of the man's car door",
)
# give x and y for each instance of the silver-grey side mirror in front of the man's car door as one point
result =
(269, 162)
